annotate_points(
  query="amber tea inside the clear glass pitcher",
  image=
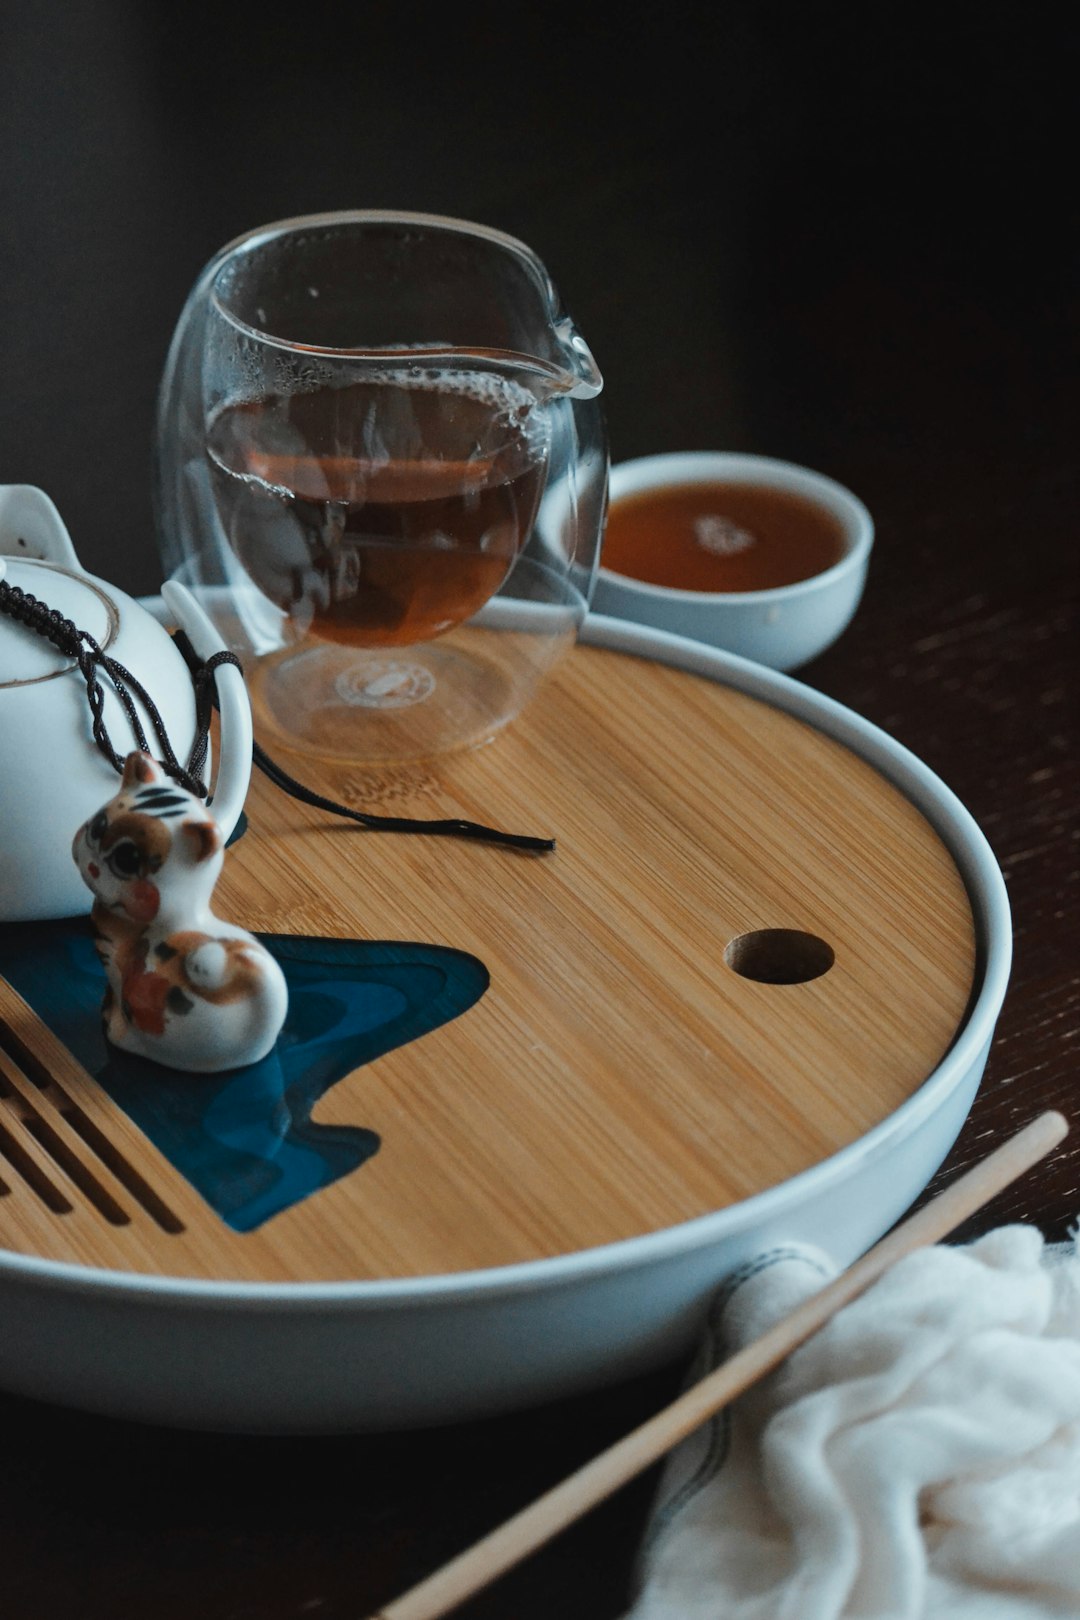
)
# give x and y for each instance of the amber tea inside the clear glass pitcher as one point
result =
(385, 513)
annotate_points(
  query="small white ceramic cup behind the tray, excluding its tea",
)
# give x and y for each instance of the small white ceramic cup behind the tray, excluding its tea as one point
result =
(781, 628)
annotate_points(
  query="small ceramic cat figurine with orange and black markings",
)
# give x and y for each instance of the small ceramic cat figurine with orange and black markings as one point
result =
(184, 987)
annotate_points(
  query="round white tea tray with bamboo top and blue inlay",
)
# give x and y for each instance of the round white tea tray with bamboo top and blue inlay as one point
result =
(747, 1000)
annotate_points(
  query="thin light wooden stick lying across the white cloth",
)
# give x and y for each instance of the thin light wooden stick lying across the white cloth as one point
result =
(545, 1519)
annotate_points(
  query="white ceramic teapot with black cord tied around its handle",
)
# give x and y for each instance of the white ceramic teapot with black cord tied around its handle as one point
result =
(53, 774)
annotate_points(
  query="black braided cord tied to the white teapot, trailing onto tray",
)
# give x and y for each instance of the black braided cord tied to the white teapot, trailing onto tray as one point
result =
(91, 660)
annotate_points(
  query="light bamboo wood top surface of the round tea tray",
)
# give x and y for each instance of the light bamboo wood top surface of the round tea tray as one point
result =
(618, 1076)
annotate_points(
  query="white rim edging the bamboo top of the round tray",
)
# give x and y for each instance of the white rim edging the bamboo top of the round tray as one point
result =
(990, 903)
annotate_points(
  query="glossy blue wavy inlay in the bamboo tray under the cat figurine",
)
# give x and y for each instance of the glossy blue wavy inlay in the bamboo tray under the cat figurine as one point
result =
(245, 1138)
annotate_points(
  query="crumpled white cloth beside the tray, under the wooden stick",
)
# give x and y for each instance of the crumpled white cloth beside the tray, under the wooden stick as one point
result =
(917, 1460)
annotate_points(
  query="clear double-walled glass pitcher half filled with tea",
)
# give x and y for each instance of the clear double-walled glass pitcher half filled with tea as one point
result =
(383, 472)
